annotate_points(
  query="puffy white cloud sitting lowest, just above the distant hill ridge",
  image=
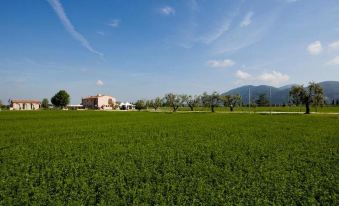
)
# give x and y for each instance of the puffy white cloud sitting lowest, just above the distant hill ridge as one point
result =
(273, 77)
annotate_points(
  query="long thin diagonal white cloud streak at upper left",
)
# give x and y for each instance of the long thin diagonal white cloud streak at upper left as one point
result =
(59, 10)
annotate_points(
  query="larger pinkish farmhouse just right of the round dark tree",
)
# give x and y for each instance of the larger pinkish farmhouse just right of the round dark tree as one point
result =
(99, 101)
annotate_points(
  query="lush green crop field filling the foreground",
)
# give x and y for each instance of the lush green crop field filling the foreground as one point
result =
(125, 158)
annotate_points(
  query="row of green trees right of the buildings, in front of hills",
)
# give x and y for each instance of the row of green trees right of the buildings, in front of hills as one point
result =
(313, 94)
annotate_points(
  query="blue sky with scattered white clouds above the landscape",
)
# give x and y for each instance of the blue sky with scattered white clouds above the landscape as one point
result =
(134, 49)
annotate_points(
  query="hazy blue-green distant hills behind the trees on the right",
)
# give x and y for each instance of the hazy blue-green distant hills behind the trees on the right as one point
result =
(280, 95)
